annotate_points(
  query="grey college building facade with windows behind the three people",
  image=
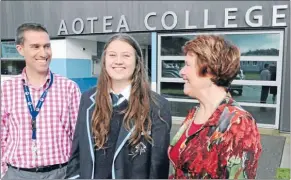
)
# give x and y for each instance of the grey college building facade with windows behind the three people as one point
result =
(79, 30)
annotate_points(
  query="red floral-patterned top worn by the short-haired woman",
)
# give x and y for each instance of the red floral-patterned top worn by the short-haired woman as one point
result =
(226, 147)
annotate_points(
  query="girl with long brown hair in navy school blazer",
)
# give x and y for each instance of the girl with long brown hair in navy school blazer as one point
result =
(122, 131)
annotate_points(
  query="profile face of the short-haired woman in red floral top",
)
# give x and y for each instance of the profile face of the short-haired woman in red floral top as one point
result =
(193, 82)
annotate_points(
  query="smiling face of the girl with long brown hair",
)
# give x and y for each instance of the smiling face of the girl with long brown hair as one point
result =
(120, 61)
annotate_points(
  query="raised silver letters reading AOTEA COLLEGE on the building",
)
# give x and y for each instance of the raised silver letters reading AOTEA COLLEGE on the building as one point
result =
(78, 24)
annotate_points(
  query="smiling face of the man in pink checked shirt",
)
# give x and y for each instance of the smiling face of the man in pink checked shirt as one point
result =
(36, 50)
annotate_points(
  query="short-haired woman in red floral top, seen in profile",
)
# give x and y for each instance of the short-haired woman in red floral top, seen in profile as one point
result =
(218, 139)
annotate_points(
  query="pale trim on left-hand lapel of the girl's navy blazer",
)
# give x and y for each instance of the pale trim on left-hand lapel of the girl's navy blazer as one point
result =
(89, 131)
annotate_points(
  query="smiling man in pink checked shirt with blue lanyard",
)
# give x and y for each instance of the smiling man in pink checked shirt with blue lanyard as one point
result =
(38, 112)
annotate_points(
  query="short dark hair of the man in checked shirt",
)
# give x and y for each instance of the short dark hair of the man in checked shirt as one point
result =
(27, 27)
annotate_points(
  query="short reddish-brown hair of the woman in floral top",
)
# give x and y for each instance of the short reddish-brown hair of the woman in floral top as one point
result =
(216, 57)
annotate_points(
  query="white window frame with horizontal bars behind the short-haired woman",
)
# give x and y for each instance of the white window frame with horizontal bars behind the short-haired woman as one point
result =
(277, 83)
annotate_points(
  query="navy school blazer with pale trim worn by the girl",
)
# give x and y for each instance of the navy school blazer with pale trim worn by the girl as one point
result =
(151, 163)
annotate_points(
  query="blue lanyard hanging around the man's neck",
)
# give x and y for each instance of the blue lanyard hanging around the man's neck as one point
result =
(34, 112)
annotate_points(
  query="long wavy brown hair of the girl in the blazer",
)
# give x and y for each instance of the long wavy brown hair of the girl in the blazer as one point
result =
(138, 110)
